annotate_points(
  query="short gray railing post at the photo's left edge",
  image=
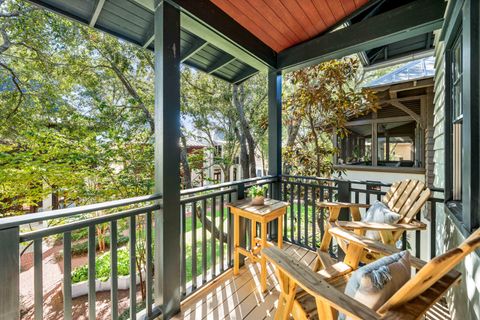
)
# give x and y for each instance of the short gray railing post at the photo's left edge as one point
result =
(9, 274)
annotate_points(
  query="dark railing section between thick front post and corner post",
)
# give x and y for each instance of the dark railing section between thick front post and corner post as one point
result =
(207, 231)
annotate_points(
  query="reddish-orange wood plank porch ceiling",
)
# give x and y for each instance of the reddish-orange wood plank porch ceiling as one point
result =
(283, 23)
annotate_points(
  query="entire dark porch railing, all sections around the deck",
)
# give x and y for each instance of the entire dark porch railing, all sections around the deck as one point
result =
(206, 237)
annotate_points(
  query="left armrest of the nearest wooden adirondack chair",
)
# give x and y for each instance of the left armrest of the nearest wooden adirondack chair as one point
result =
(316, 285)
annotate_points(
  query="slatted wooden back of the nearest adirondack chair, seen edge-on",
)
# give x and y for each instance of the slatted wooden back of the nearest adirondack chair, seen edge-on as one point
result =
(431, 273)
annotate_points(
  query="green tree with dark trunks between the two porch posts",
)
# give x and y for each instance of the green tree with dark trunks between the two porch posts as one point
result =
(236, 113)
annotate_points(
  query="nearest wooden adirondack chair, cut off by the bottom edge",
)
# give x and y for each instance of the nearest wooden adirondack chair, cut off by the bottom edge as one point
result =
(309, 295)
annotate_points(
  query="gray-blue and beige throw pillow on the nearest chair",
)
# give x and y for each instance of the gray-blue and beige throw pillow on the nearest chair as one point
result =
(376, 282)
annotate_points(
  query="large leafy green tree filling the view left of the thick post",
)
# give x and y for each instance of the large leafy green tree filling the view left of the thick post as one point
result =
(76, 111)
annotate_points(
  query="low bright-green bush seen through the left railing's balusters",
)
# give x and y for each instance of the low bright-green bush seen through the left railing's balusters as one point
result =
(102, 267)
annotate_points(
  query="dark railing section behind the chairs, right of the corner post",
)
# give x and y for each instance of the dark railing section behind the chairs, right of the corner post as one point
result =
(304, 221)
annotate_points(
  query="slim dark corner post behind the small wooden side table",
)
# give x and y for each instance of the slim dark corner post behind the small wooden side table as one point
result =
(275, 138)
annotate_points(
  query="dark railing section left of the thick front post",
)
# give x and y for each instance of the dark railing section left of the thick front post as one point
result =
(62, 225)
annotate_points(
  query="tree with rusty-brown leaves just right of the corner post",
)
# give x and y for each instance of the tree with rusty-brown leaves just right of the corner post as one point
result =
(319, 102)
